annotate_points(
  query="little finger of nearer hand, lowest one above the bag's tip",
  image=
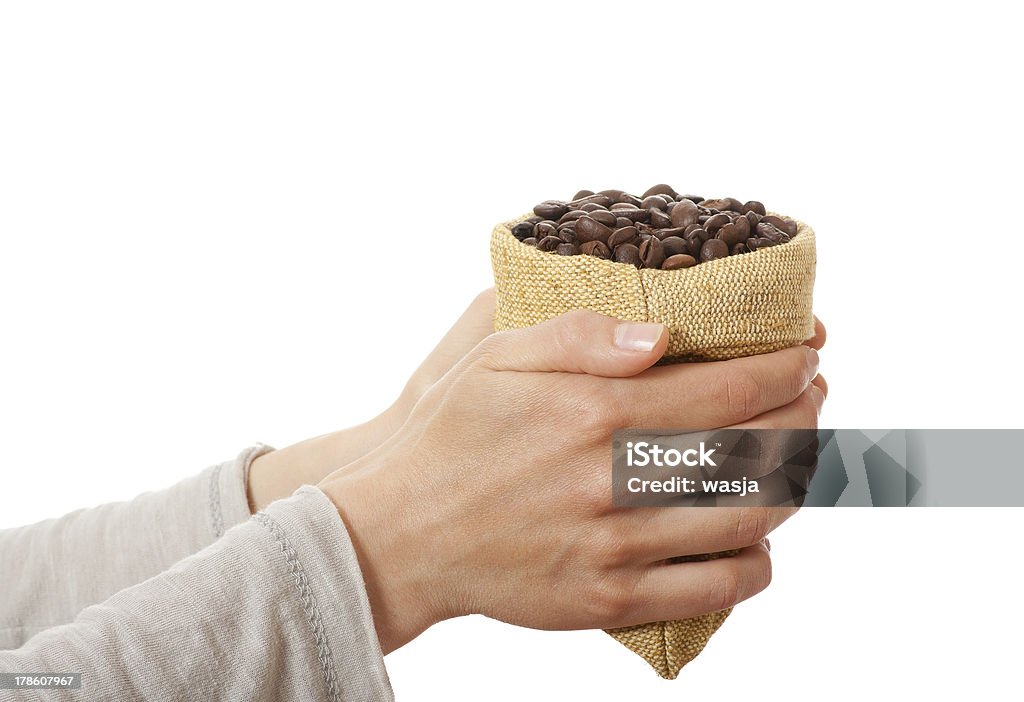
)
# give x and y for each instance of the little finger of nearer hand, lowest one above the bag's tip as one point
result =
(681, 591)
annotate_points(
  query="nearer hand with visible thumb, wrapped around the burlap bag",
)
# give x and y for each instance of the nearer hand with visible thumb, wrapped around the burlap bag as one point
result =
(496, 496)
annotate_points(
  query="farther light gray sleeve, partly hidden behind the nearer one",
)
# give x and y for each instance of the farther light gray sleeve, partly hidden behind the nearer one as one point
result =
(55, 569)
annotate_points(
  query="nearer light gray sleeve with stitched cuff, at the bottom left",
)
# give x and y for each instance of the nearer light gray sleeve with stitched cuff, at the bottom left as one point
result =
(275, 610)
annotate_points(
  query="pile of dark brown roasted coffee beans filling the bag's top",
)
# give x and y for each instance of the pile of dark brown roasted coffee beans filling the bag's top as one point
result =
(659, 230)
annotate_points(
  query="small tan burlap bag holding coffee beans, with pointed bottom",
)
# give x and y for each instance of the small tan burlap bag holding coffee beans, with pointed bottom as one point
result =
(736, 306)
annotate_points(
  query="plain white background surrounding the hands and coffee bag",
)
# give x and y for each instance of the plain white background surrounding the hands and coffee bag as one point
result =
(197, 200)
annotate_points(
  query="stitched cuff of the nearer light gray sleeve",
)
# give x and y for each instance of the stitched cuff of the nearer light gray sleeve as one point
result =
(324, 568)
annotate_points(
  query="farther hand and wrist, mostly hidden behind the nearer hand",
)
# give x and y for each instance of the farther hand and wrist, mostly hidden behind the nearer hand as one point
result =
(280, 473)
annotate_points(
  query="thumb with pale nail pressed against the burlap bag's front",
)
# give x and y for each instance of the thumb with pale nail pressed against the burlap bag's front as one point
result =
(578, 342)
